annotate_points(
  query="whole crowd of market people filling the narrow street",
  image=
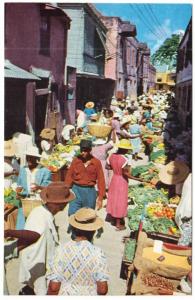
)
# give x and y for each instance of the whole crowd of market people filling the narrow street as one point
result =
(99, 168)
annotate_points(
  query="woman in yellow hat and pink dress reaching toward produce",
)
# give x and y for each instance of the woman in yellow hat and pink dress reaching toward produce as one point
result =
(118, 189)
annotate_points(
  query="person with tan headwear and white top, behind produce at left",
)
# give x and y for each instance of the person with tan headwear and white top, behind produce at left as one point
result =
(47, 135)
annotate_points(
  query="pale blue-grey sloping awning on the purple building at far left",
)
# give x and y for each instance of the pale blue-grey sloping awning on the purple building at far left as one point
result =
(12, 71)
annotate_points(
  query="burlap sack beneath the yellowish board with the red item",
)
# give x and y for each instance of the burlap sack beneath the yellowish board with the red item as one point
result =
(148, 265)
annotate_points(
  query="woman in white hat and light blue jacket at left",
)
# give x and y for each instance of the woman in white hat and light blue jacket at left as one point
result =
(31, 178)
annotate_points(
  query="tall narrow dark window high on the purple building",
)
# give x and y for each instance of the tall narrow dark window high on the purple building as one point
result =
(45, 35)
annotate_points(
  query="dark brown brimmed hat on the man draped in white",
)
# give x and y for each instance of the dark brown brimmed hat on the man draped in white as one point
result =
(57, 192)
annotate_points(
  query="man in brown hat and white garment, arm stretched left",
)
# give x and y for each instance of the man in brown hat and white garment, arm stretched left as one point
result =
(39, 238)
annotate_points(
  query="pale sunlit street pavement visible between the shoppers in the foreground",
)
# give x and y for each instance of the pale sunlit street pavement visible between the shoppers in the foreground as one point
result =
(110, 242)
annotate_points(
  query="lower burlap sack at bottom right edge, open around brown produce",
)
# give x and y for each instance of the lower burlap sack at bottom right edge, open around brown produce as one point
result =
(140, 288)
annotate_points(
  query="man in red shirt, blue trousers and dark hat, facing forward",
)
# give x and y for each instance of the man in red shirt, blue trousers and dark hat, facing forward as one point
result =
(83, 174)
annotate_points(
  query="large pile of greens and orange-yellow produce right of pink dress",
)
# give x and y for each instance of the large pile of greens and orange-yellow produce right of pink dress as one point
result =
(153, 205)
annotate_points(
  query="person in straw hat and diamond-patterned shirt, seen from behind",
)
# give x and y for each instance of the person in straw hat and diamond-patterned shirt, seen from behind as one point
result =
(79, 267)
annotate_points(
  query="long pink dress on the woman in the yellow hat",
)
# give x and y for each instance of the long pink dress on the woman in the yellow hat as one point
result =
(118, 190)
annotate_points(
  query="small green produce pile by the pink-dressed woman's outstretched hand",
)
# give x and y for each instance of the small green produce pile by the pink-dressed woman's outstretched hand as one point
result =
(145, 172)
